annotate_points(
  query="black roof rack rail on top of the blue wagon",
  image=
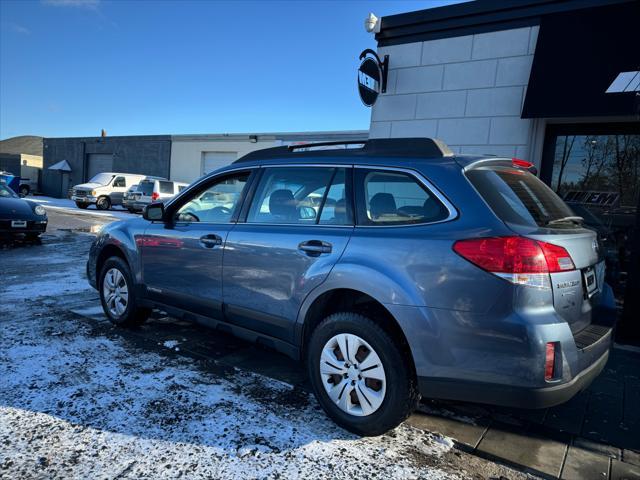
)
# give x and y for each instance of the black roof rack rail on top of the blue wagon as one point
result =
(393, 147)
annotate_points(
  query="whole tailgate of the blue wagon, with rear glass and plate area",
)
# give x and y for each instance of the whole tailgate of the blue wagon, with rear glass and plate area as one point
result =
(532, 209)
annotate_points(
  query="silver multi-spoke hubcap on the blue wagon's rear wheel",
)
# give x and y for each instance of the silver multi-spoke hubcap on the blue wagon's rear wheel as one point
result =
(353, 375)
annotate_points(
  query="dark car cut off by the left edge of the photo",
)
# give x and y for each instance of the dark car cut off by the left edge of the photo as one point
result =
(20, 217)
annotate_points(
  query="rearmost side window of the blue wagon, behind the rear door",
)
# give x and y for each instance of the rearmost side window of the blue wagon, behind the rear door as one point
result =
(395, 198)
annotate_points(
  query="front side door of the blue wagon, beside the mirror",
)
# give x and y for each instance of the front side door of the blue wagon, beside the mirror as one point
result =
(182, 257)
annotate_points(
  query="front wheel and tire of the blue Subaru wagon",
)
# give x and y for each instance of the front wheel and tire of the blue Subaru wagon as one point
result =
(120, 308)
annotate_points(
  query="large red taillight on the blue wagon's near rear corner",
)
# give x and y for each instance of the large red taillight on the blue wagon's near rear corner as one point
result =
(517, 259)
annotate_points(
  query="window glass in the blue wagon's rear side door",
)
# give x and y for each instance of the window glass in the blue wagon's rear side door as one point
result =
(290, 195)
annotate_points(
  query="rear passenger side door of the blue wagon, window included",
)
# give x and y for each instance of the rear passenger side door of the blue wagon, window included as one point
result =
(292, 233)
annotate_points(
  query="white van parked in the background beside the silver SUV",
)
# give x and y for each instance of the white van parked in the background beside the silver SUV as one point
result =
(105, 189)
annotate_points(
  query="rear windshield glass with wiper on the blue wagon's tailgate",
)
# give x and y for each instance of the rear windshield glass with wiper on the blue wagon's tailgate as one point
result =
(518, 197)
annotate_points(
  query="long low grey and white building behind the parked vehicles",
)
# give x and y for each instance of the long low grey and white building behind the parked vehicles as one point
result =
(184, 158)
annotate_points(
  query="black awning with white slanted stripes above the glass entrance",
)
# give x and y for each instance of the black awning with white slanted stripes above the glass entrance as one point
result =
(579, 56)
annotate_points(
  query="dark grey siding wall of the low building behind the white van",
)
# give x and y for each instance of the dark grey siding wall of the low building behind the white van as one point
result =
(147, 155)
